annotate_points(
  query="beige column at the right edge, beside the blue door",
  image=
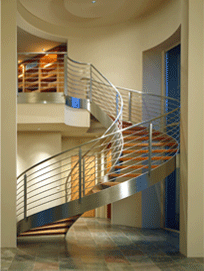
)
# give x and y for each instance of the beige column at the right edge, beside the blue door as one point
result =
(192, 133)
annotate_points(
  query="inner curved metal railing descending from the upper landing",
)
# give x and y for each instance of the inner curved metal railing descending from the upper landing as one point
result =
(85, 82)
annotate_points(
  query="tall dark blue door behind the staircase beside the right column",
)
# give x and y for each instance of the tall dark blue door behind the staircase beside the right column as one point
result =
(172, 181)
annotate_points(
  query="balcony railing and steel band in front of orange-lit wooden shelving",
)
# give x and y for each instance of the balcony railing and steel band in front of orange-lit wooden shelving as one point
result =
(41, 76)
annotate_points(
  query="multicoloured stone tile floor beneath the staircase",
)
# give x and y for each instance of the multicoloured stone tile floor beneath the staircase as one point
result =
(95, 244)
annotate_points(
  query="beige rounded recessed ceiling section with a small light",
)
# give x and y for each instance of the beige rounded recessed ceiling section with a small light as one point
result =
(89, 13)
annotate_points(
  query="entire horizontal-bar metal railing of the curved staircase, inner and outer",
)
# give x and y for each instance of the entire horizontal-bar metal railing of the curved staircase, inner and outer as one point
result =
(45, 184)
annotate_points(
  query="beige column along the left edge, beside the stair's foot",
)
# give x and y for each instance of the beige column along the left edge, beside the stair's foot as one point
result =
(8, 122)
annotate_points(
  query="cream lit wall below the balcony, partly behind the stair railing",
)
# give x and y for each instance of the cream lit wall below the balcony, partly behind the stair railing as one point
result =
(33, 148)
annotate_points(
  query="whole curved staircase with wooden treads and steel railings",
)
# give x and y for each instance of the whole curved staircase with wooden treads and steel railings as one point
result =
(137, 150)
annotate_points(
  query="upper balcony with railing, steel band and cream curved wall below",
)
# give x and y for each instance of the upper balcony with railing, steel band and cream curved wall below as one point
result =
(42, 88)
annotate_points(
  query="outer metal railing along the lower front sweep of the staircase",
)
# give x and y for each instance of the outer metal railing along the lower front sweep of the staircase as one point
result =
(45, 181)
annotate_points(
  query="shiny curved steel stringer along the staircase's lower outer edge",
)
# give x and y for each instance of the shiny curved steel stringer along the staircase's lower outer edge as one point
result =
(99, 199)
